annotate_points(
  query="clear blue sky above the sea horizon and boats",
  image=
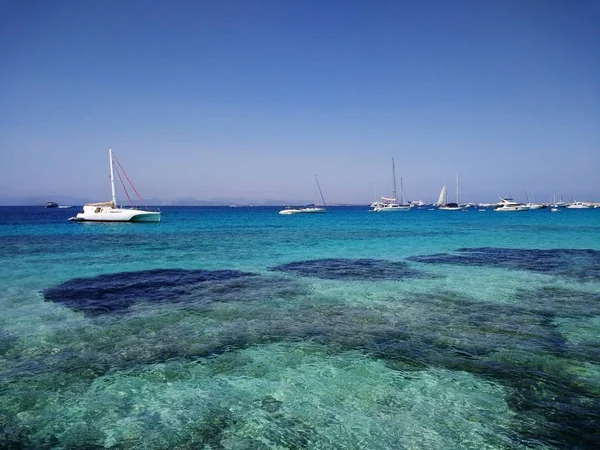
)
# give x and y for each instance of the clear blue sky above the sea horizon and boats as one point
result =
(250, 99)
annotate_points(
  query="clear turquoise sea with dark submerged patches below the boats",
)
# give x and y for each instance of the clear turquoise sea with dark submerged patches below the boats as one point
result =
(238, 328)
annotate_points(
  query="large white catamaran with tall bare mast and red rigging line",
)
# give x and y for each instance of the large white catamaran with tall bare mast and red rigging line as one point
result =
(110, 211)
